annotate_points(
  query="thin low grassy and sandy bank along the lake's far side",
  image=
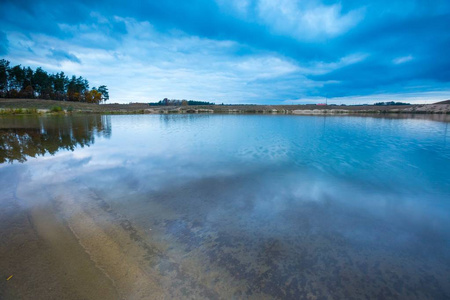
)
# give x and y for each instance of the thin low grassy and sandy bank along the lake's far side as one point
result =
(38, 106)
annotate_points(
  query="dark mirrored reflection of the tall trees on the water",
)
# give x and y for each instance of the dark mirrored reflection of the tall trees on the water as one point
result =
(25, 137)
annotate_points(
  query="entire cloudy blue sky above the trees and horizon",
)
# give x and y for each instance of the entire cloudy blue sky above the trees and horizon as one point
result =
(239, 51)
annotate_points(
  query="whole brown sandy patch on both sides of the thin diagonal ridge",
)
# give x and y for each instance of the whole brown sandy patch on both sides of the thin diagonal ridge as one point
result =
(60, 247)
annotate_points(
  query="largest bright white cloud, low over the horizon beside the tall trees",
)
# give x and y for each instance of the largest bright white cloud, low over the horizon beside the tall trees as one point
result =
(146, 65)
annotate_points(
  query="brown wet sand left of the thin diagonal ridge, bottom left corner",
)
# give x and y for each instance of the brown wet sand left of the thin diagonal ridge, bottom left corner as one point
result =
(44, 256)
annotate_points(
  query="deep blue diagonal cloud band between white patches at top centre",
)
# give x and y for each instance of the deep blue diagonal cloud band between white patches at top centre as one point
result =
(206, 19)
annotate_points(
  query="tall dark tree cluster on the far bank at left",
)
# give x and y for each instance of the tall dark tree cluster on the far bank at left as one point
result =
(24, 82)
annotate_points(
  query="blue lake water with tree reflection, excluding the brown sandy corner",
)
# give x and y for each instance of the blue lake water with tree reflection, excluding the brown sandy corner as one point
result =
(272, 206)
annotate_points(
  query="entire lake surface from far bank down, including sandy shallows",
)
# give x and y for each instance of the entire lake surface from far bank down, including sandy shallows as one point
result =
(225, 206)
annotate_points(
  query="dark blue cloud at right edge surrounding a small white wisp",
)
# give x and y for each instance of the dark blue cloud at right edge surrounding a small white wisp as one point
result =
(403, 53)
